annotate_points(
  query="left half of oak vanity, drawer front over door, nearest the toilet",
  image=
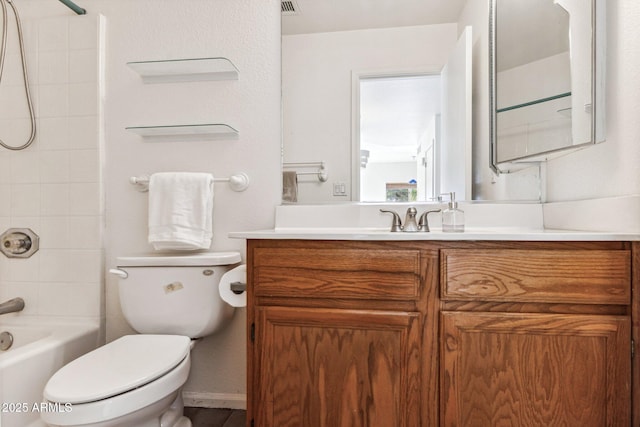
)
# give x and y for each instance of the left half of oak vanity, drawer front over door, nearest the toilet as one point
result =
(342, 334)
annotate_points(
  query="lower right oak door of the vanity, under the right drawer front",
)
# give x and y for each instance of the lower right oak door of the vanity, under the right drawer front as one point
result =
(543, 370)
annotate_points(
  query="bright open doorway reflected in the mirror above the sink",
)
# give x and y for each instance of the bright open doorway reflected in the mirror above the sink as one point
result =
(399, 117)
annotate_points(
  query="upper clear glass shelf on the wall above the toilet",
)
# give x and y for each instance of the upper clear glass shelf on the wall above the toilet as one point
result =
(185, 70)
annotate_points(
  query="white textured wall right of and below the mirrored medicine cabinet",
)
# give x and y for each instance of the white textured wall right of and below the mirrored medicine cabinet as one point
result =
(609, 168)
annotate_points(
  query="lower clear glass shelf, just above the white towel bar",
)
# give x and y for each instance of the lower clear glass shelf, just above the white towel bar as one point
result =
(199, 132)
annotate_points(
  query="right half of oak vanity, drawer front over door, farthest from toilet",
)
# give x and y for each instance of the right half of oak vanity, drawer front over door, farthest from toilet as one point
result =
(537, 336)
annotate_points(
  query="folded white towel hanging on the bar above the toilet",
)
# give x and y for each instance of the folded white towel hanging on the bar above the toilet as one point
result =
(180, 210)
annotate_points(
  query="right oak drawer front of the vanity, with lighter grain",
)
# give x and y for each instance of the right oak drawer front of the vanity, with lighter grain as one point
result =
(545, 276)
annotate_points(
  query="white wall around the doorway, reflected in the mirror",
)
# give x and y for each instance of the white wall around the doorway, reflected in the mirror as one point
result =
(317, 92)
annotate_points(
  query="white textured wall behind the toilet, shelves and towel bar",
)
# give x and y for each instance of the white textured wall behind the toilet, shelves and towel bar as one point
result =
(248, 33)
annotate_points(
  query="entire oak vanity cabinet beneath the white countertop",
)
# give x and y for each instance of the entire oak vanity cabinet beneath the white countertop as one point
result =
(428, 333)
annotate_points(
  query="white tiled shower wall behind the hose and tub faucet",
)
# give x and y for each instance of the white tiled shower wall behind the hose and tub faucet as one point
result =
(54, 186)
